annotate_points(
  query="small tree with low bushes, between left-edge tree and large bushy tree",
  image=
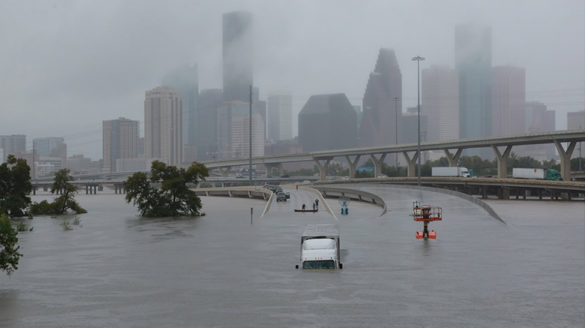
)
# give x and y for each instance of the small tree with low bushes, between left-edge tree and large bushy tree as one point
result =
(62, 203)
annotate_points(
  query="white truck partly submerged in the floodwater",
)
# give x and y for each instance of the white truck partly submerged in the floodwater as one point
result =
(320, 248)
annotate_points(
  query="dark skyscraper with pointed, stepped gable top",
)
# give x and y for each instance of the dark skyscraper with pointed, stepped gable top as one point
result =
(381, 112)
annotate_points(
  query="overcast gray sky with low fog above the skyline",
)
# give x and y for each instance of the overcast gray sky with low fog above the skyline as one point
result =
(67, 65)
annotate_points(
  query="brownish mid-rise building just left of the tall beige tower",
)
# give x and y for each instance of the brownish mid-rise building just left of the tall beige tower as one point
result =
(120, 141)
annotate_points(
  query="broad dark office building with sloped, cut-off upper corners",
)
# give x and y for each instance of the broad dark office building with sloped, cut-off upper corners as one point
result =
(327, 122)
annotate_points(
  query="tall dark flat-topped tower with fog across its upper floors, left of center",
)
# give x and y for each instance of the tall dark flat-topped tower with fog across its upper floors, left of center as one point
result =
(237, 56)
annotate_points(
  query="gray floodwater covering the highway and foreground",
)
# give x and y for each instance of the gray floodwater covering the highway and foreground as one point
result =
(115, 269)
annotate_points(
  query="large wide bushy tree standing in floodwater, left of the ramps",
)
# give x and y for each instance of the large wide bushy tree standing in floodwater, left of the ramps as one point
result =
(166, 192)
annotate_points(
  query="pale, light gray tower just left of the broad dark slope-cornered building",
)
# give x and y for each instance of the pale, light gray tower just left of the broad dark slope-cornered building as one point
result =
(279, 117)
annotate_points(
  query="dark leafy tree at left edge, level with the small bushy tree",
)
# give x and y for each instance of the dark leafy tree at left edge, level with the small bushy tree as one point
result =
(15, 186)
